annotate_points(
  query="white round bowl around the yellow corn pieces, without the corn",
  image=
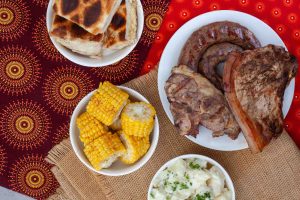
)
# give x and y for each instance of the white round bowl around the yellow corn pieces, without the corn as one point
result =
(118, 168)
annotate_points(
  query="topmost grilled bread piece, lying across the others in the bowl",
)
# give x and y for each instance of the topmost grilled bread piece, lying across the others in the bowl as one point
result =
(92, 15)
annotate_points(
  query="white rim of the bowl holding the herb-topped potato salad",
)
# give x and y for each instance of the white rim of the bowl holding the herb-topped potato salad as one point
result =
(209, 160)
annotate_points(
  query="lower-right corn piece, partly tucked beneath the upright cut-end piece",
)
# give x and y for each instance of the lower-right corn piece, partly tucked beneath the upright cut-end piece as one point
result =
(136, 147)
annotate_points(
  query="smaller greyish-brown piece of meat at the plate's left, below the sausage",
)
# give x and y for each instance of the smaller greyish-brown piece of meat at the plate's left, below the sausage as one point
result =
(194, 101)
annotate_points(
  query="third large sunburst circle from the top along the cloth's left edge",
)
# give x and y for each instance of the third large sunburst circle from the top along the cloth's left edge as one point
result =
(24, 124)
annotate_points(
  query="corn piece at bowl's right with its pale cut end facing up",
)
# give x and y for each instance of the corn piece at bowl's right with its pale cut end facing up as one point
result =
(137, 119)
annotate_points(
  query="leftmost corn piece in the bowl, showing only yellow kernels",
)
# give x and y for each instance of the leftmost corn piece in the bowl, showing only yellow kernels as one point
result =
(90, 128)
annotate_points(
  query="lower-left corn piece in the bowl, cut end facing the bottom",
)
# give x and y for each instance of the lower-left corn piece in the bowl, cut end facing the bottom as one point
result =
(104, 150)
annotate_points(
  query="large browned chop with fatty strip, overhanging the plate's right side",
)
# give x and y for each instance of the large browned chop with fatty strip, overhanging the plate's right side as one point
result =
(254, 83)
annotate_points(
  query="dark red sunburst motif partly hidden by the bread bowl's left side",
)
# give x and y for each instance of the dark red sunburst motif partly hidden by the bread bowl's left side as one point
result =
(42, 42)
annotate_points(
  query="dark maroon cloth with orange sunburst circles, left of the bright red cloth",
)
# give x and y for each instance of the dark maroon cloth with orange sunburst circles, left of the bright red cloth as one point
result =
(39, 89)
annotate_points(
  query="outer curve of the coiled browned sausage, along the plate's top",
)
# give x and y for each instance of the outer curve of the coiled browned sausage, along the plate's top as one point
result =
(215, 33)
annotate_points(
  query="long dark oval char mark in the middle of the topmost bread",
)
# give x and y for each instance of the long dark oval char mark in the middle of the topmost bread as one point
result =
(92, 13)
